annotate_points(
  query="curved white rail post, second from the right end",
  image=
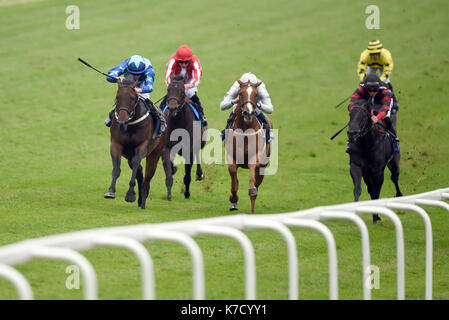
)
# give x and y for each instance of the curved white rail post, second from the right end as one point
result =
(399, 243)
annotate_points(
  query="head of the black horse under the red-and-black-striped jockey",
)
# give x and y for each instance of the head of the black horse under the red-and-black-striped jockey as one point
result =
(359, 121)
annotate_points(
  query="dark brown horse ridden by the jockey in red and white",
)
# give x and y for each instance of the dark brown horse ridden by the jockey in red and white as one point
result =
(182, 126)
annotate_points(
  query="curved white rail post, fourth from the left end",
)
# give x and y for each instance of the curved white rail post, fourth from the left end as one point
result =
(195, 253)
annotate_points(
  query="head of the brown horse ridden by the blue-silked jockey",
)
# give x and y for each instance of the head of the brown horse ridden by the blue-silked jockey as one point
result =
(126, 102)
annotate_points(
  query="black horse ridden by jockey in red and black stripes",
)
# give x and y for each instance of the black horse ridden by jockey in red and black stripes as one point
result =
(370, 152)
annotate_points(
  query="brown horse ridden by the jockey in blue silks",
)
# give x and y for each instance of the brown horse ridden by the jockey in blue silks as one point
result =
(133, 137)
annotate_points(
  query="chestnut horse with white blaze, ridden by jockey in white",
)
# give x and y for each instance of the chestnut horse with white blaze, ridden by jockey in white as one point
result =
(245, 144)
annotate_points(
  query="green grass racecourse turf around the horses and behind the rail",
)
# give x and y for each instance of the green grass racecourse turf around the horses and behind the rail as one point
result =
(54, 151)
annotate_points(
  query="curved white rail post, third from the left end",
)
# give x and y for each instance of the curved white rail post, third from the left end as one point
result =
(146, 264)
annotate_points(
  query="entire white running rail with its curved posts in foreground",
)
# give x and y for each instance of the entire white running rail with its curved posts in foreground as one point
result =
(66, 246)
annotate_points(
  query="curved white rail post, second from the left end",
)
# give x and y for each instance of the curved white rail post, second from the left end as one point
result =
(88, 272)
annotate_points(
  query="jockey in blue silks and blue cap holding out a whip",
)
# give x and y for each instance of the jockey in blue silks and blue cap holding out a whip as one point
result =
(139, 69)
